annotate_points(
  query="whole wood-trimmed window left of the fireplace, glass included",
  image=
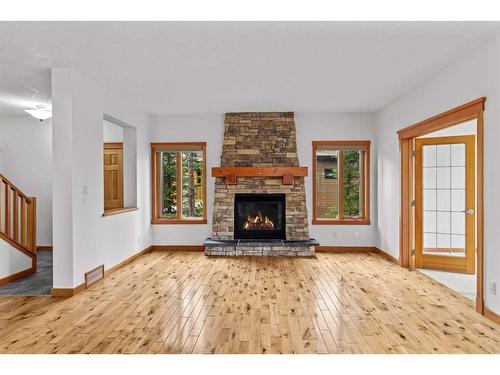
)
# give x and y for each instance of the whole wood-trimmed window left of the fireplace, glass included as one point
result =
(179, 183)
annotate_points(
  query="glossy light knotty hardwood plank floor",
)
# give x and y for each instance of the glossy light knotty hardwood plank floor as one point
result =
(184, 302)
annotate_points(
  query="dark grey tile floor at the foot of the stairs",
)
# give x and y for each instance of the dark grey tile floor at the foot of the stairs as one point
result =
(38, 284)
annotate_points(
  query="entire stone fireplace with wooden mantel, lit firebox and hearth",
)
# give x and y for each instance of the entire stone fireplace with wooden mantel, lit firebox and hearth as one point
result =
(260, 202)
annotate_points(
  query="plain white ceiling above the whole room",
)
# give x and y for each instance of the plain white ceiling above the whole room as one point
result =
(215, 67)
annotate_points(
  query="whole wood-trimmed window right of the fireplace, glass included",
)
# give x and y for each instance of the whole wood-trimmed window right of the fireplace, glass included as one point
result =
(341, 182)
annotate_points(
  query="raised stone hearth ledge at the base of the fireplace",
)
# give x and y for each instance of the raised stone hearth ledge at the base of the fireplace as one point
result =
(260, 247)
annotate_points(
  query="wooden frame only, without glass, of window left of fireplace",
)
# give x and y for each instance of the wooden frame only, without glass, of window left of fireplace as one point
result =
(155, 182)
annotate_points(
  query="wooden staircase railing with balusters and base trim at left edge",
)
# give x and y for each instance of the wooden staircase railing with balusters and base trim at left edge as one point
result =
(17, 223)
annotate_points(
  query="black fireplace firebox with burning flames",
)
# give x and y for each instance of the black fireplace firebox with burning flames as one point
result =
(259, 216)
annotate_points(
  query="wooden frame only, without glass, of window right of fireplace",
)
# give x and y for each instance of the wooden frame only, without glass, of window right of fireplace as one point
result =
(366, 184)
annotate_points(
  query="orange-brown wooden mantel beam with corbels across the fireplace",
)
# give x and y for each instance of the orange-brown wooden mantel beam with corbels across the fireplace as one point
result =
(286, 173)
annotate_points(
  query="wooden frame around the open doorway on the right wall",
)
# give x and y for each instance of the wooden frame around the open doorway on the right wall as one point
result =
(468, 111)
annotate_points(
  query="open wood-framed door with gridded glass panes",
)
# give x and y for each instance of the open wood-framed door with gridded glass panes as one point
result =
(444, 204)
